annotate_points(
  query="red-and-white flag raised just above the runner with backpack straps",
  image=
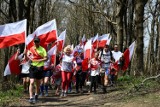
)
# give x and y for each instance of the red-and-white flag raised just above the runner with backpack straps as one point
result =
(103, 40)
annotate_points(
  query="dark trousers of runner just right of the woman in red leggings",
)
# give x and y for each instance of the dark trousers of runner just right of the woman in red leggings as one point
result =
(80, 79)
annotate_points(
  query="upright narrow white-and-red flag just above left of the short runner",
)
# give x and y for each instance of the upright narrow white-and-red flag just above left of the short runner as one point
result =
(88, 49)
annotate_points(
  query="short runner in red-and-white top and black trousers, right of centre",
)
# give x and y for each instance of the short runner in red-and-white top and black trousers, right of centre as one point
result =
(94, 66)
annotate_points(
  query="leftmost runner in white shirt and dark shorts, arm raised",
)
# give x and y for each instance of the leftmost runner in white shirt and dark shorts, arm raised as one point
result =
(25, 64)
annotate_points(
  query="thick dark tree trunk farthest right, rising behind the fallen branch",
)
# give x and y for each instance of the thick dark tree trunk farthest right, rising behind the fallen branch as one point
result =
(139, 14)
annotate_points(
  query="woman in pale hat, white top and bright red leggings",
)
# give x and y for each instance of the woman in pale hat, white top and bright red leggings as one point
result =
(68, 63)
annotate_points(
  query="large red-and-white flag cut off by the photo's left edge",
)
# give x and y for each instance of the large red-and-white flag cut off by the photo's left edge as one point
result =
(13, 33)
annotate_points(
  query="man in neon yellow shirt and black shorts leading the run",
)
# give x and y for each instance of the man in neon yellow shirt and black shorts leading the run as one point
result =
(38, 56)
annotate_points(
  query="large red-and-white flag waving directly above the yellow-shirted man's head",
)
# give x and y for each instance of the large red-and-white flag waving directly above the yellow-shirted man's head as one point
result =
(47, 33)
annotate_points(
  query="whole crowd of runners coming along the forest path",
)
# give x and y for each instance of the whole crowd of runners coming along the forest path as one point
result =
(67, 72)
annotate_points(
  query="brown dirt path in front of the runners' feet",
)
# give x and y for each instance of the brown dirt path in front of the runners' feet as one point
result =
(114, 98)
